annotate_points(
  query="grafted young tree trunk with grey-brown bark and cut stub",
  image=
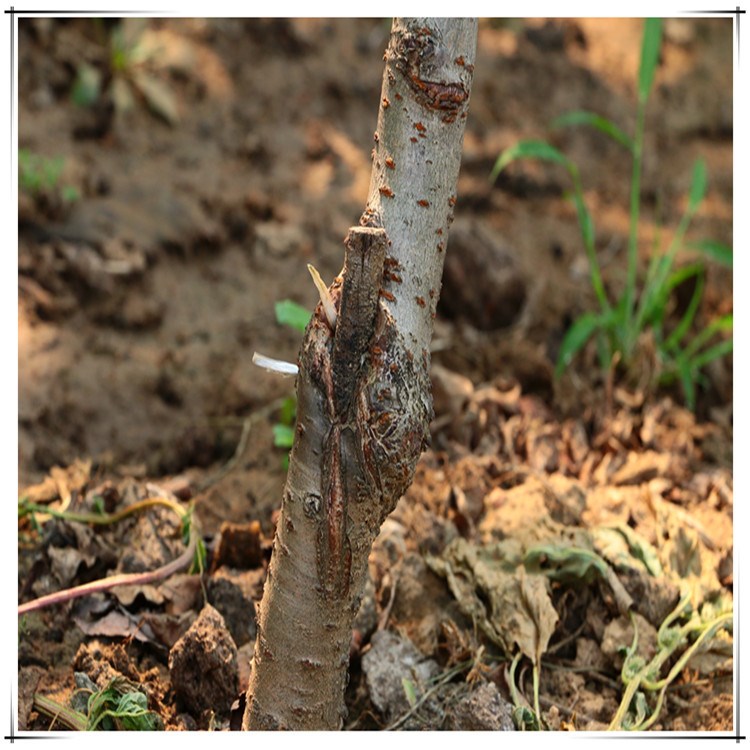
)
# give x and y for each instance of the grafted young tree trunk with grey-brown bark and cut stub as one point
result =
(363, 389)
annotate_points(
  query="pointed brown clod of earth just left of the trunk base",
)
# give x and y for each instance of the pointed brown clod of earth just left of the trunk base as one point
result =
(203, 665)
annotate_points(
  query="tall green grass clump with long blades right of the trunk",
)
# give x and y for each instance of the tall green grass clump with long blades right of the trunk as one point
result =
(619, 327)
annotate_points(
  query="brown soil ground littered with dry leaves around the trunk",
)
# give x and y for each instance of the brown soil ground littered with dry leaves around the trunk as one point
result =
(195, 209)
